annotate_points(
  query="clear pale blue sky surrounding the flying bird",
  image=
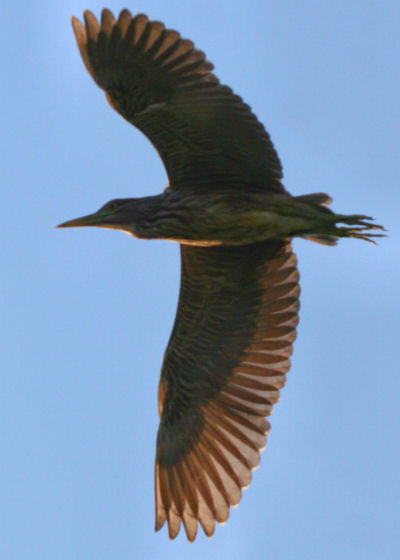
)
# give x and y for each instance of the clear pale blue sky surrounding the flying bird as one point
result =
(86, 314)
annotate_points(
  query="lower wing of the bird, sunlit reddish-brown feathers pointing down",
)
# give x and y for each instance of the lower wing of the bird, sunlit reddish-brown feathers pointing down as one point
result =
(225, 364)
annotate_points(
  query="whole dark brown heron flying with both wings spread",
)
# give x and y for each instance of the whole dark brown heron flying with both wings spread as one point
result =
(225, 204)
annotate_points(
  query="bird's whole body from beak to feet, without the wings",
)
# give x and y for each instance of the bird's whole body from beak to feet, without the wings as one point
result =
(225, 218)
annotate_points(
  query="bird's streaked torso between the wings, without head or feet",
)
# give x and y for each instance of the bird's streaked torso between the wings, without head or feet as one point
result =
(212, 219)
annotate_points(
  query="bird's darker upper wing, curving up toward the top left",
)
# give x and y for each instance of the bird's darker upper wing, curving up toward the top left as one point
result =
(206, 135)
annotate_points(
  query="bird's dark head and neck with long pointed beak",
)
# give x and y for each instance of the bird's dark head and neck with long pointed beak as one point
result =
(125, 214)
